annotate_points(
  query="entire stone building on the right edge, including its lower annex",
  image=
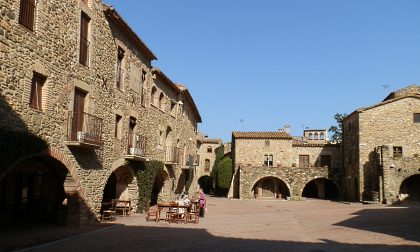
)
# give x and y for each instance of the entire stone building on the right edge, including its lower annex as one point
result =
(381, 149)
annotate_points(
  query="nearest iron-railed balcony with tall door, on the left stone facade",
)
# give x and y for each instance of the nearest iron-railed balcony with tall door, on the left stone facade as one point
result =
(84, 130)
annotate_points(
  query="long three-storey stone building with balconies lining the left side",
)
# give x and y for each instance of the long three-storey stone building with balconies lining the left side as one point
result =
(81, 105)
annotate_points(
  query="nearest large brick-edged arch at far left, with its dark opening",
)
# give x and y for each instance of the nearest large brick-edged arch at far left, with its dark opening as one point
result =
(44, 185)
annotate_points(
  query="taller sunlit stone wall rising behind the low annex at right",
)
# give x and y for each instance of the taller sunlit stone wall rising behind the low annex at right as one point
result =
(389, 123)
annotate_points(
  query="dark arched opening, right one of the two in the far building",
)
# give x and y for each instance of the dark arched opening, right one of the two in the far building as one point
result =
(320, 188)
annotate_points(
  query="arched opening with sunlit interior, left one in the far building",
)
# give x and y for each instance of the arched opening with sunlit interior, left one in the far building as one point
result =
(270, 187)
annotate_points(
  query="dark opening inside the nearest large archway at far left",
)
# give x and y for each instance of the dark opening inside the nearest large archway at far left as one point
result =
(33, 193)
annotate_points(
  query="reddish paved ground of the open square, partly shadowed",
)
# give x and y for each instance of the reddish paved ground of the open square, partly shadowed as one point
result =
(256, 225)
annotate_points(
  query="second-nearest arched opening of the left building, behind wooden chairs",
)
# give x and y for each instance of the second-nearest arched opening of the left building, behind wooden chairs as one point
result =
(117, 185)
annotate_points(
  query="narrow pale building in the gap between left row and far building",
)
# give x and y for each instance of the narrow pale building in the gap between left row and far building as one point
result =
(207, 155)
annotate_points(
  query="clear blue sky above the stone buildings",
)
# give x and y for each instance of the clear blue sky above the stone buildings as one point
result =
(258, 65)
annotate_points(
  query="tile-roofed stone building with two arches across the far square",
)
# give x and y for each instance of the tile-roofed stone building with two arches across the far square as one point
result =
(275, 165)
